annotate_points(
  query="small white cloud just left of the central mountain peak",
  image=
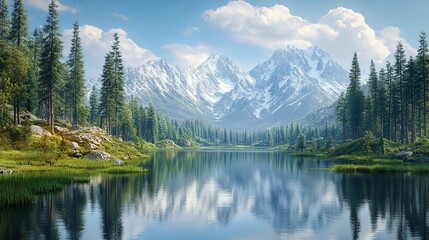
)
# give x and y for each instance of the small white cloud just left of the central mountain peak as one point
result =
(188, 56)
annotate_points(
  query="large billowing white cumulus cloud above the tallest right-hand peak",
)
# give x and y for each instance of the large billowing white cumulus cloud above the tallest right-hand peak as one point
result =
(341, 32)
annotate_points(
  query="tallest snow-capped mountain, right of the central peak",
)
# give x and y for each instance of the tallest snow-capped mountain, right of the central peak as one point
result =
(291, 84)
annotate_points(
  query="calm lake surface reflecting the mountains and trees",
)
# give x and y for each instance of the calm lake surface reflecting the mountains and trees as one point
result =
(218, 194)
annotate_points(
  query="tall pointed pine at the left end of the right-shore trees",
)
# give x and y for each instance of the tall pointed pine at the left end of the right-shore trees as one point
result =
(355, 99)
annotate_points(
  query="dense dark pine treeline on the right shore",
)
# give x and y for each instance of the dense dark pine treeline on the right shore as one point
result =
(396, 106)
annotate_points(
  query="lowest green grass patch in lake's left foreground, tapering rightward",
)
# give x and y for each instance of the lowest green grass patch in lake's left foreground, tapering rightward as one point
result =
(22, 188)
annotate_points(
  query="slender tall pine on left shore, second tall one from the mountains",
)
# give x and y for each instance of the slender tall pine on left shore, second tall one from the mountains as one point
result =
(76, 69)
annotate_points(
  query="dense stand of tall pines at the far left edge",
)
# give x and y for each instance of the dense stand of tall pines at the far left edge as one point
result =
(32, 75)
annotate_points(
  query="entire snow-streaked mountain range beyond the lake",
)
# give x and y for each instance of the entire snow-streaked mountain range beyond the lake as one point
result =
(288, 86)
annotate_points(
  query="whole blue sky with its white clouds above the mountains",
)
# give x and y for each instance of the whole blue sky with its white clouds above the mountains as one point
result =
(185, 32)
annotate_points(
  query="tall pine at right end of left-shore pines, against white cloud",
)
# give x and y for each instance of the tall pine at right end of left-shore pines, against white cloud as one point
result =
(118, 80)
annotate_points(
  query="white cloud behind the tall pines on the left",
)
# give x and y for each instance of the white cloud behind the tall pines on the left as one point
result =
(96, 43)
